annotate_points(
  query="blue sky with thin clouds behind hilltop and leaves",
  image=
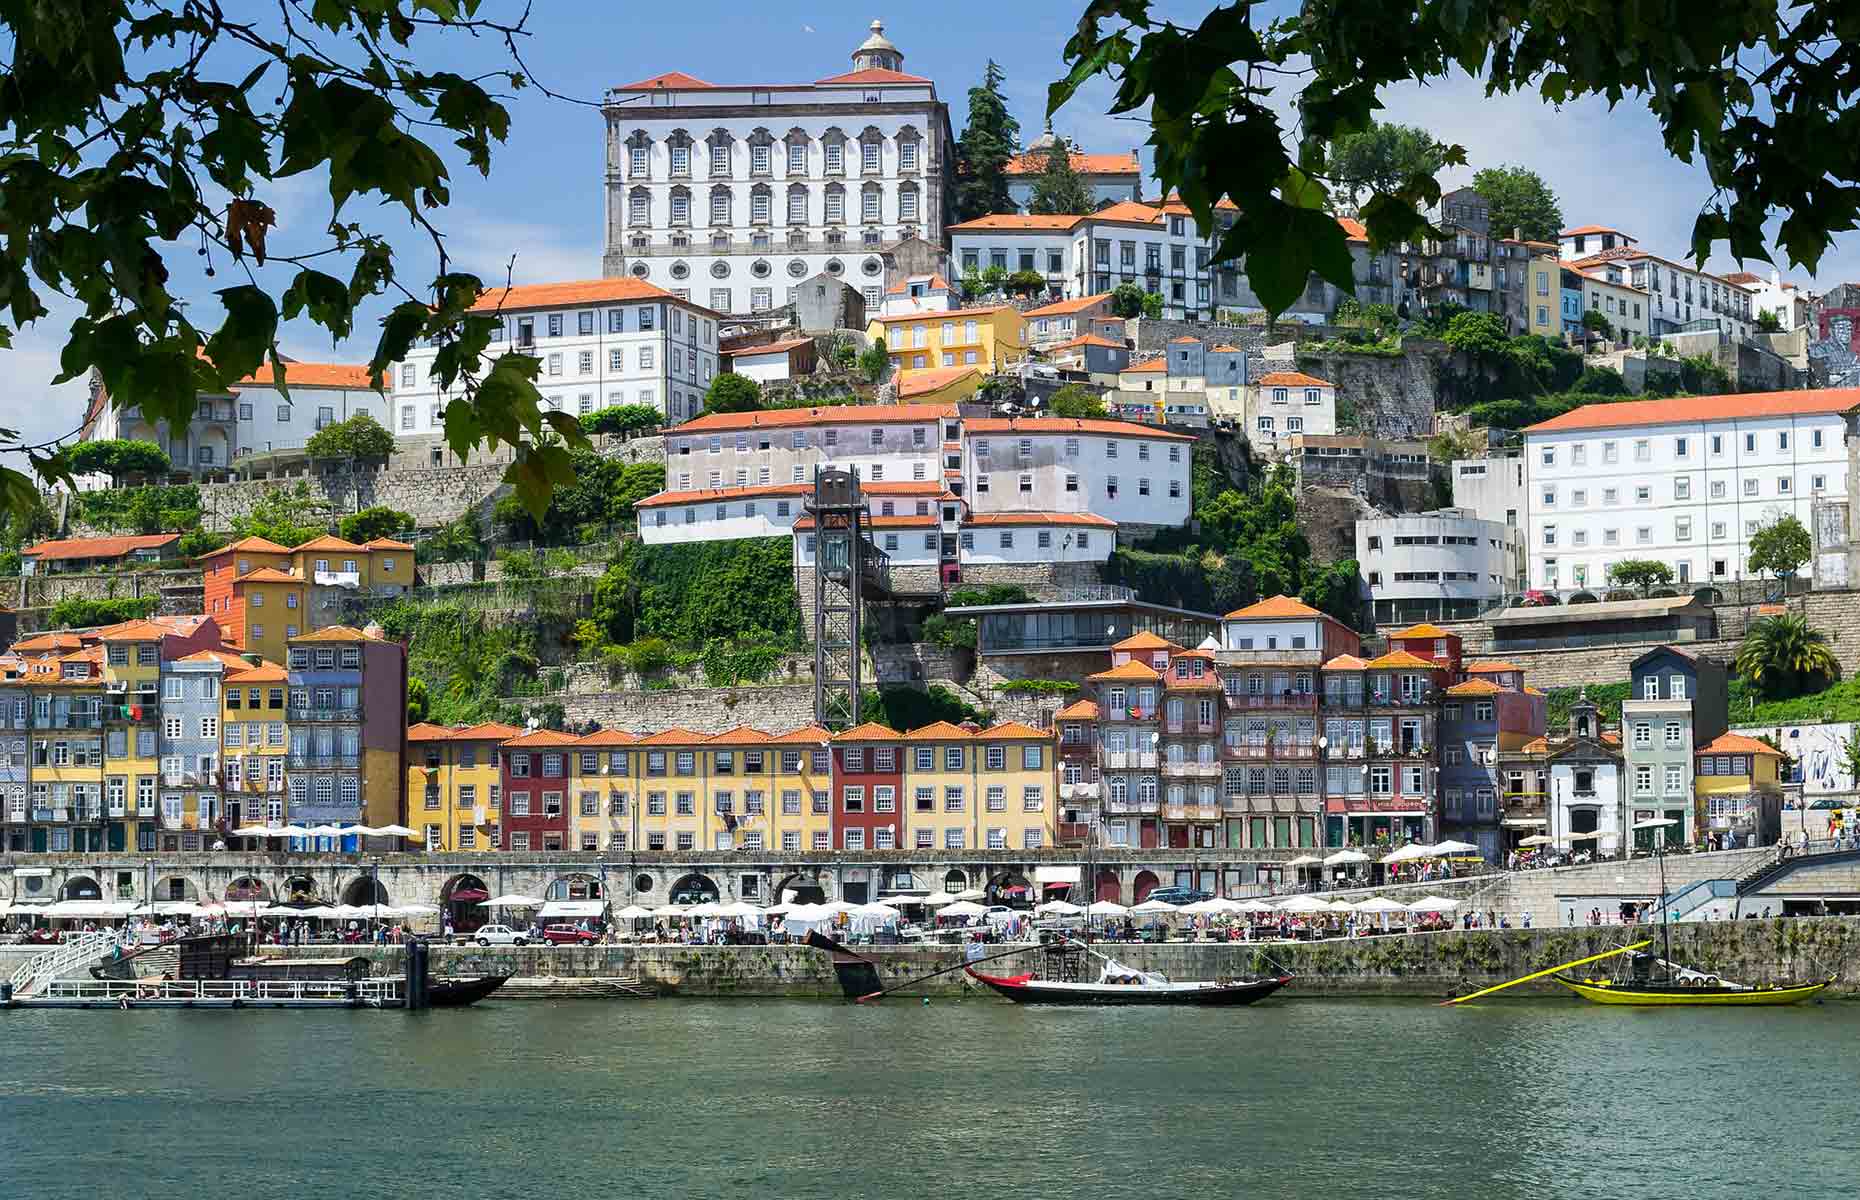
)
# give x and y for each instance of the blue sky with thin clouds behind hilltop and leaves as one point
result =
(542, 202)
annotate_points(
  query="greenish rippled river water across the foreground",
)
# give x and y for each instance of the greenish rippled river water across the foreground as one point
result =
(977, 1099)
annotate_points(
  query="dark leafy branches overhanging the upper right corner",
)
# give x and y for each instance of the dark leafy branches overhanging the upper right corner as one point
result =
(1759, 94)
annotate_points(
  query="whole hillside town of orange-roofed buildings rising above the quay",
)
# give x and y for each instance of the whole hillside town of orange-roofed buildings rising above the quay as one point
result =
(1037, 537)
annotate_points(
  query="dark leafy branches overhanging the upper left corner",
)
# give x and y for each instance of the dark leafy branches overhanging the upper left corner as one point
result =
(142, 133)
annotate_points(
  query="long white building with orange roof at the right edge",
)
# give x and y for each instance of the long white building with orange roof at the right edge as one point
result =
(1684, 481)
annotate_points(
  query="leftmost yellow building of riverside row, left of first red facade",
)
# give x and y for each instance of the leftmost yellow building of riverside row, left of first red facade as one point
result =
(455, 784)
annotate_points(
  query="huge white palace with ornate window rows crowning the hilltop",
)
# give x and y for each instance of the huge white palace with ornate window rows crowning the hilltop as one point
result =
(734, 194)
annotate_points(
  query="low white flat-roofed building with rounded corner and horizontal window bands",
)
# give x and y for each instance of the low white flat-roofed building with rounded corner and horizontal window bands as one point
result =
(1437, 567)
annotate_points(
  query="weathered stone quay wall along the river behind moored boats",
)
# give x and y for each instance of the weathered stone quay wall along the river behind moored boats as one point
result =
(1400, 967)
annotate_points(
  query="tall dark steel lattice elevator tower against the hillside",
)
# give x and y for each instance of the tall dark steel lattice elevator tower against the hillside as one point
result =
(847, 570)
